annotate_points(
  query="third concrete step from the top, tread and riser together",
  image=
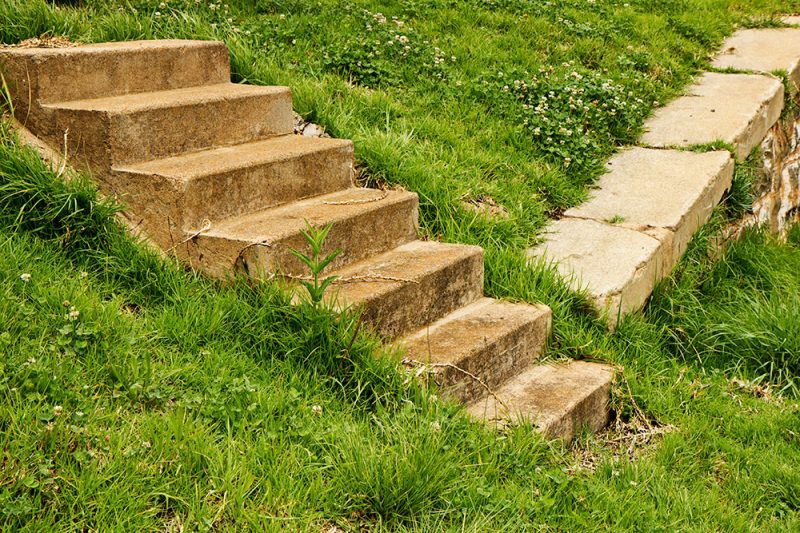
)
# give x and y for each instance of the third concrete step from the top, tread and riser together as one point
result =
(220, 183)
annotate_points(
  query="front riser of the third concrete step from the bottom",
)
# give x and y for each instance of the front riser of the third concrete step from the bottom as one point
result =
(413, 305)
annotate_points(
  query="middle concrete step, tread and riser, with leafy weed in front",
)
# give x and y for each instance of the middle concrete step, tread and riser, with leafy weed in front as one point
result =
(364, 222)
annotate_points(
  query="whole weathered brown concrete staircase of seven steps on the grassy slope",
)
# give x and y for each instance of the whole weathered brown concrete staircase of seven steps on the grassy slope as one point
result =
(212, 171)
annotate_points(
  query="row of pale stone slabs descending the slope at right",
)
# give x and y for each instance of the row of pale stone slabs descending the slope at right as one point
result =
(655, 196)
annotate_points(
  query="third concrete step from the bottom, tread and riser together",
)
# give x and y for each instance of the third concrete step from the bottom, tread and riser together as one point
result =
(412, 285)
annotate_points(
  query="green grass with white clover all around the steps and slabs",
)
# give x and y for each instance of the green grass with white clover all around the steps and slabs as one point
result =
(135, 396)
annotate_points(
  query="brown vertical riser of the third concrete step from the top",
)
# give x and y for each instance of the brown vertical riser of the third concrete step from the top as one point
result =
(183, 207)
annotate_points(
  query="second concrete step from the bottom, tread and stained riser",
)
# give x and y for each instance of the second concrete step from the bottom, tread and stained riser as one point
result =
(480, 345)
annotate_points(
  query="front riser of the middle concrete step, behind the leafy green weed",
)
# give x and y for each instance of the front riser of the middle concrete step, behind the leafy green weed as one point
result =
(355, 236)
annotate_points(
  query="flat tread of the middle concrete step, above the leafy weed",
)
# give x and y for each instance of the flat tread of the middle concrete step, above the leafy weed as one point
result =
(275, 223)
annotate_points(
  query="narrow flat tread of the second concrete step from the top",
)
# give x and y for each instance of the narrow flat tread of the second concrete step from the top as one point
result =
(138, 102)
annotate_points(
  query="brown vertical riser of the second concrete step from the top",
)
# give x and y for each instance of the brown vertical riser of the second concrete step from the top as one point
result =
(101, 140)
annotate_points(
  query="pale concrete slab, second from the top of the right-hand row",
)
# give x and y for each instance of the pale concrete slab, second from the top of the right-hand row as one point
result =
(738, 109)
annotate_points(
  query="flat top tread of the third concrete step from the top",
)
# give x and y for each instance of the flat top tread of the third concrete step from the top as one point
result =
(230, 158)
